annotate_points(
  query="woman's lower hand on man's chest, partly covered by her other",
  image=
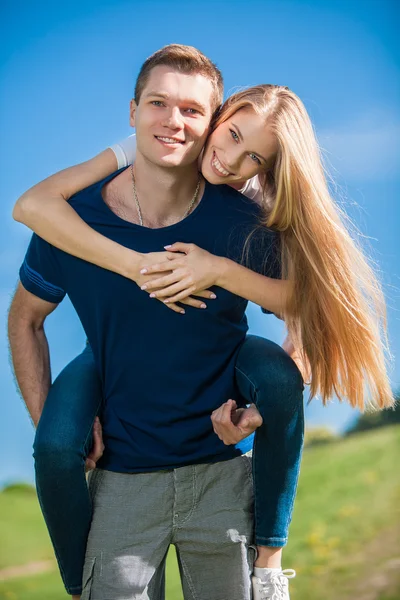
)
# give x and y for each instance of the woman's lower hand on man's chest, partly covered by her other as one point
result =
(144, 281)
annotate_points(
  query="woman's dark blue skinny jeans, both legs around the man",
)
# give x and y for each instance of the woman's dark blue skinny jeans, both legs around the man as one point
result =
(266, 376)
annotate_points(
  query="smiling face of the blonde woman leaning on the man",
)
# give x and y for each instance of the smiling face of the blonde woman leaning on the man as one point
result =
(238, 149)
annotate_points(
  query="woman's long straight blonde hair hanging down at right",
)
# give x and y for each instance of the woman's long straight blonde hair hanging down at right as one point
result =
(336, 314)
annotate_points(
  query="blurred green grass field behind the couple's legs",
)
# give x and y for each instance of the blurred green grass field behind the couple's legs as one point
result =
(344, 539)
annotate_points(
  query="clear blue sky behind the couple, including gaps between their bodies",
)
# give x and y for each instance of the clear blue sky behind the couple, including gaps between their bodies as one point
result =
(67, 73)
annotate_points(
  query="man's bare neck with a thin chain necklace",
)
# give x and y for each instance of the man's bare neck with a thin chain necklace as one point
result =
(164, 194)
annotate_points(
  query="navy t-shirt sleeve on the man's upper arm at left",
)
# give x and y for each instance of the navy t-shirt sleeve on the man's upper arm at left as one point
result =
(40, 273)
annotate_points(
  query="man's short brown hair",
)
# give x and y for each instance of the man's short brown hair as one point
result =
(184, 59)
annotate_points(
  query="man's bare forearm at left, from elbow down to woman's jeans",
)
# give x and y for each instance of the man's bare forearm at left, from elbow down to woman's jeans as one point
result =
(31, 362)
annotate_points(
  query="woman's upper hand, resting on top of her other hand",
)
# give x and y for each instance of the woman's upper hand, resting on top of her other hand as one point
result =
(192, 271)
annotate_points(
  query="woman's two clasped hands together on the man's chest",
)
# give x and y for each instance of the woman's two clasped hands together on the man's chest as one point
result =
(182, 274)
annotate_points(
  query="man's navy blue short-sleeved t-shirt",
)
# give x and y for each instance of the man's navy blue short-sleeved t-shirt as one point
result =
(162, 373)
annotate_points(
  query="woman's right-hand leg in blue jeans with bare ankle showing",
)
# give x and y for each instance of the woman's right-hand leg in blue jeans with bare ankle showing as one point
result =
(268, 377)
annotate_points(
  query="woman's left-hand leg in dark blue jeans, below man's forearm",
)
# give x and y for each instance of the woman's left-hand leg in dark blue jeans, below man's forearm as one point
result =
(63, 440)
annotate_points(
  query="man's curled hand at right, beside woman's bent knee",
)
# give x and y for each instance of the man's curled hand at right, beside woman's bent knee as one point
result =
(232, 424)
